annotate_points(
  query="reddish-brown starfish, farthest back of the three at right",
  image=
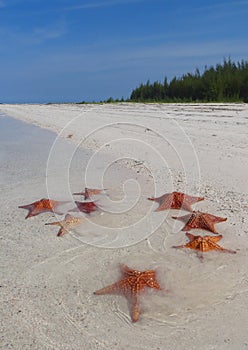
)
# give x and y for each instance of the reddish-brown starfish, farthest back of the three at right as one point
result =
(175, 200)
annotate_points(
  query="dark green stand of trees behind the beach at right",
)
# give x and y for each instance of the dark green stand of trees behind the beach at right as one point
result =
(226, 82)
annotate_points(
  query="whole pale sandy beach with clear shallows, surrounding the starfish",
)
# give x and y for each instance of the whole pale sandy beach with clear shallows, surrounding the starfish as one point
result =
(134, 151)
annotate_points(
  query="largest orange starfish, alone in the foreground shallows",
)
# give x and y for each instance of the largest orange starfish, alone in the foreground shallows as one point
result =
(132, 283)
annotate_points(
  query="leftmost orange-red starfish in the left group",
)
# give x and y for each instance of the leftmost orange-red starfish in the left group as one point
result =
(42, 206)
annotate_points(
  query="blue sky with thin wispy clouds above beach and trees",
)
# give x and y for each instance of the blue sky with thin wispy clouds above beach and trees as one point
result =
(74, 50)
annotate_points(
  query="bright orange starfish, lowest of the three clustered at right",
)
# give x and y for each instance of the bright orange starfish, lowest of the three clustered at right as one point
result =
(204, 244)
